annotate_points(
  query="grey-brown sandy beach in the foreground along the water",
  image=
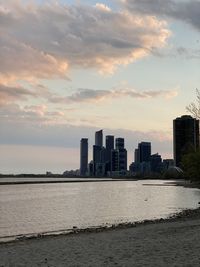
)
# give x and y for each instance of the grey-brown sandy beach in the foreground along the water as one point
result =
(173, 242)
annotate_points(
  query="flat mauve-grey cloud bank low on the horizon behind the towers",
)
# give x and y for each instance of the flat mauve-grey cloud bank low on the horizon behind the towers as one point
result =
(38, 149)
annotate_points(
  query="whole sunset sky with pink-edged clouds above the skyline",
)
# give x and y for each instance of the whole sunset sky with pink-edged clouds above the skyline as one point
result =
(70, 68)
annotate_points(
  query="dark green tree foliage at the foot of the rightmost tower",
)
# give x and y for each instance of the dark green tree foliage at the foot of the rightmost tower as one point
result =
(191, 165)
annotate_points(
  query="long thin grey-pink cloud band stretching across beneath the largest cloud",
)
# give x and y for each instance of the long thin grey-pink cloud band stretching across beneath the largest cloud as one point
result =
(17, 95)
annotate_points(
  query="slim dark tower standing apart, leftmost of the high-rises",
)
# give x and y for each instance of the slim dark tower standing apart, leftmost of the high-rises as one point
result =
(83, 156)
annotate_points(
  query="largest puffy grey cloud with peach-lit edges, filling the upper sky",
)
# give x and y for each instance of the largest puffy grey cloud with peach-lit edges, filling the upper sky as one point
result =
(44, 41)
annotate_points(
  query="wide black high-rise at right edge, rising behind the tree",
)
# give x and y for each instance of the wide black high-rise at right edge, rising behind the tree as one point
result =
(186, 136)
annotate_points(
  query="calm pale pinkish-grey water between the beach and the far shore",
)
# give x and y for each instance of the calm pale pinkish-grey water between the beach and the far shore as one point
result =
(43, 208)
